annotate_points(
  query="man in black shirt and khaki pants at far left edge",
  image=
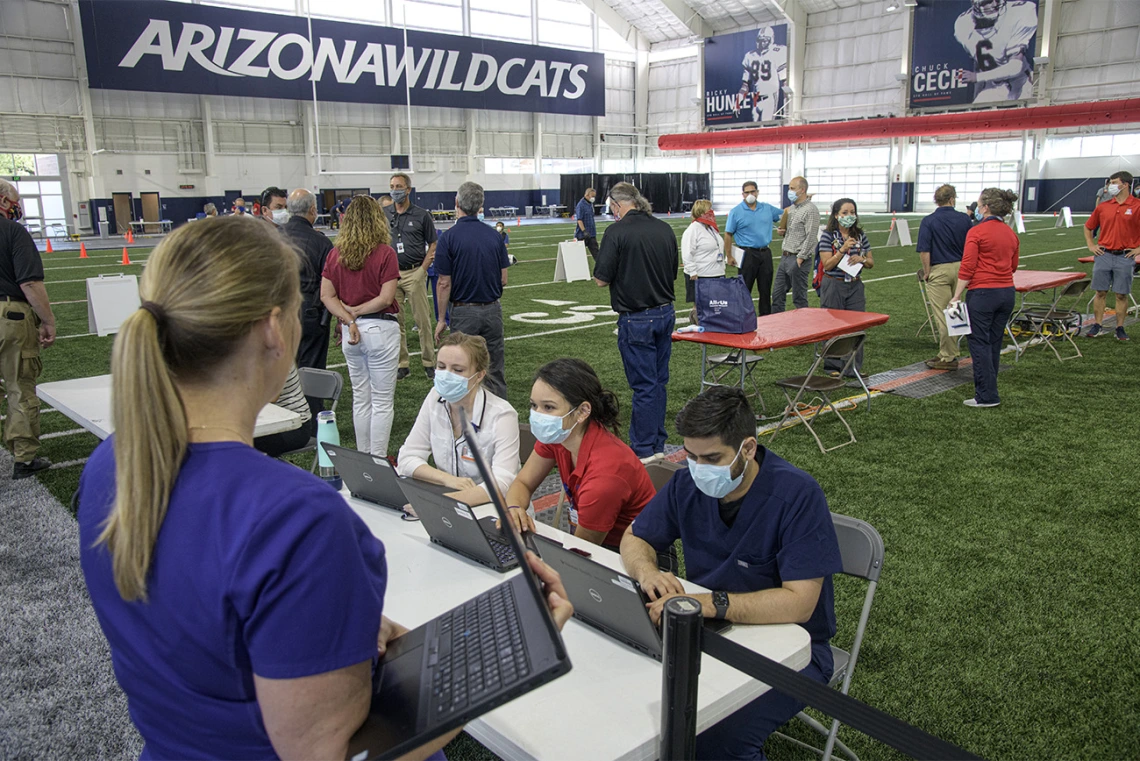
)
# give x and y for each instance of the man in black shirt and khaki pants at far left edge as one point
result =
(27, 324)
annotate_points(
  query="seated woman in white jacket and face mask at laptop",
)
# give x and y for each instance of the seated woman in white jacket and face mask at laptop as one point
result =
(461, 366)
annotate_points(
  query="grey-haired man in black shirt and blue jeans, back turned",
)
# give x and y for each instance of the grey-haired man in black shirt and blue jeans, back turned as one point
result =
(639, 263)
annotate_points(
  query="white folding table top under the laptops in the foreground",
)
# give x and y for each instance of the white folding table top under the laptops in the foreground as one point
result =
(609, 706)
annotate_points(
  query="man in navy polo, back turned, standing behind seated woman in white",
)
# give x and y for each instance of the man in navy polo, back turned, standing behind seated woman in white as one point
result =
(471, 261)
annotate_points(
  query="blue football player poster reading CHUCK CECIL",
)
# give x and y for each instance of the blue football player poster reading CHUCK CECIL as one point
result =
(973, 52)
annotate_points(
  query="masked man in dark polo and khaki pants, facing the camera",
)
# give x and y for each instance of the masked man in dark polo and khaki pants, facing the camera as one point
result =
(414, 240)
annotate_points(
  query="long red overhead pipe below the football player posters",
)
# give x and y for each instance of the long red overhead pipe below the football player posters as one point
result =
(1003, 120)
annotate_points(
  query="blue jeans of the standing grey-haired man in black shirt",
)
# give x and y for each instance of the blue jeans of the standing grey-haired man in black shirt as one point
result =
(646, 346)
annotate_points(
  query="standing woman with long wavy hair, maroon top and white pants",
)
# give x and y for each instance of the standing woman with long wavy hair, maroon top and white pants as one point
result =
(359, 288)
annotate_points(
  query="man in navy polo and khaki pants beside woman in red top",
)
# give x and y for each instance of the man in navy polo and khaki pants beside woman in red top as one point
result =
(942, 240)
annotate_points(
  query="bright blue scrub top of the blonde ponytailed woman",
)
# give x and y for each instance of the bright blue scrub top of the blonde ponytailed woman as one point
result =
(259, 568)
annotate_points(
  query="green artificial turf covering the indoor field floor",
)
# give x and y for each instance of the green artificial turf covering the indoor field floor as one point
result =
(1006, 617)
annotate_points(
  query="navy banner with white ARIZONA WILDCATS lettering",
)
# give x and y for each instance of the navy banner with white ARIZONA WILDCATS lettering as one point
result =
(173, 47)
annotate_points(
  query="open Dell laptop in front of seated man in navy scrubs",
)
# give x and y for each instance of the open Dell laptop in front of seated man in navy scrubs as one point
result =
(608, 601)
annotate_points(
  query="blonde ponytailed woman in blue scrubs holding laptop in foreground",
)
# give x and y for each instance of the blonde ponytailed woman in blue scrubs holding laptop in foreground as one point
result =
(241, 596)
